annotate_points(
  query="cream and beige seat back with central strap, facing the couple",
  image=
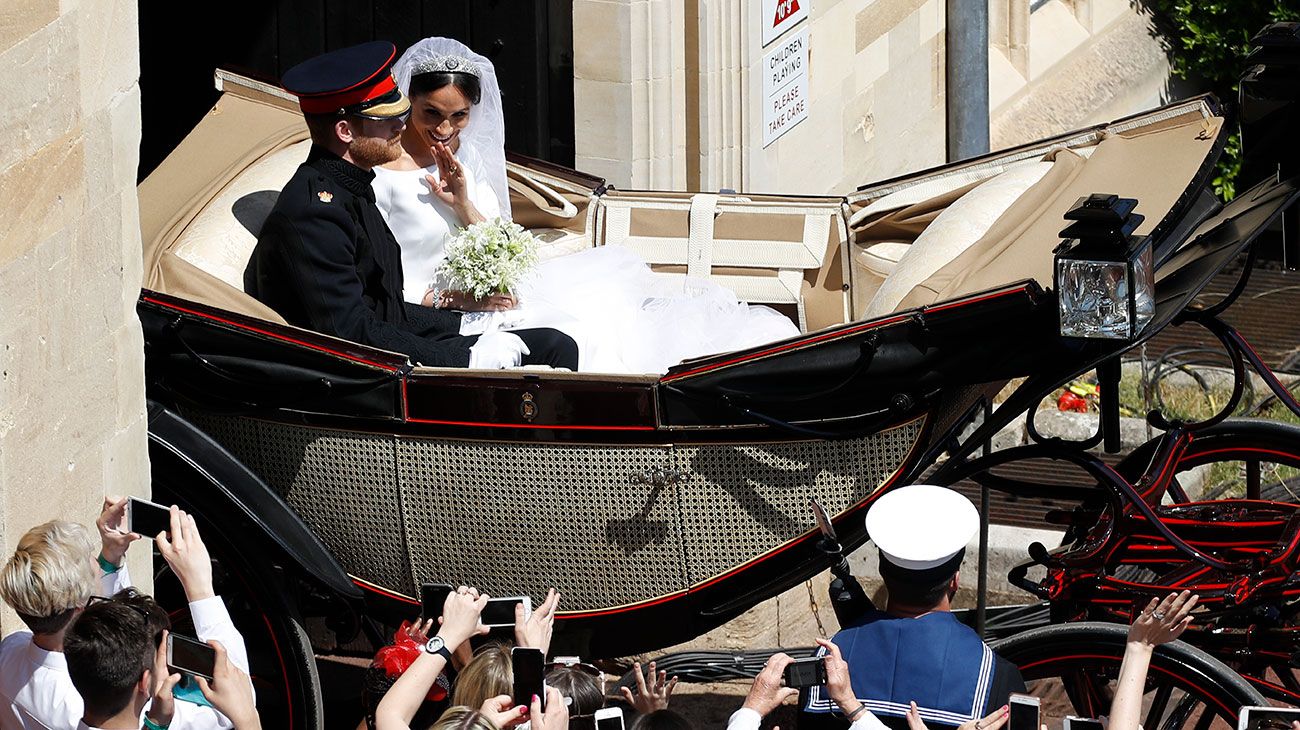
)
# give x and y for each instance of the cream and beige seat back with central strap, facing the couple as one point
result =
(765, 249)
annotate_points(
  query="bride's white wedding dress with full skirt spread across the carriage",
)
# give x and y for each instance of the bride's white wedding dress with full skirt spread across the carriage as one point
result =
(625, 318)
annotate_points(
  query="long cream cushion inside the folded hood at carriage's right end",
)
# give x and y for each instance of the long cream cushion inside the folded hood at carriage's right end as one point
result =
(954, 232)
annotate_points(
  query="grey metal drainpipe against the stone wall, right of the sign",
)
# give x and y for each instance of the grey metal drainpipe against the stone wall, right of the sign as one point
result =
(967, 81)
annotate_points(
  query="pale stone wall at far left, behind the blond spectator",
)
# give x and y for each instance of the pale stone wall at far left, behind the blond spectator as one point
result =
(72, 384)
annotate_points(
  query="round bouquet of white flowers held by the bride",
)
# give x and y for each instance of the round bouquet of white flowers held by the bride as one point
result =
(489, 258)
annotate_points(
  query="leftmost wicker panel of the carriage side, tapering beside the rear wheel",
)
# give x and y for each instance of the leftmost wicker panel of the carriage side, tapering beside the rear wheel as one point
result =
(341, 484)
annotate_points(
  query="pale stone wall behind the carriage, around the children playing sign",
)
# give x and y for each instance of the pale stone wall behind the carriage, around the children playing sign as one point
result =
(668, 93)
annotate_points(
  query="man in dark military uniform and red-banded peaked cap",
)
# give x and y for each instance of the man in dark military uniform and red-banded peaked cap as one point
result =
(327, 260)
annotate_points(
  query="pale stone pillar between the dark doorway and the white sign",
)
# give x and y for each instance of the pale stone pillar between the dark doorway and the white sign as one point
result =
(630, 92)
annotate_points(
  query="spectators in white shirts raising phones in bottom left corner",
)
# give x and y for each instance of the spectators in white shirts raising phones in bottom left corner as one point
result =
(94, 655)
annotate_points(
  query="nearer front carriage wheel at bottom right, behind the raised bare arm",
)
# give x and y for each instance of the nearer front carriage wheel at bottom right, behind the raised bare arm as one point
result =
(1074, 668)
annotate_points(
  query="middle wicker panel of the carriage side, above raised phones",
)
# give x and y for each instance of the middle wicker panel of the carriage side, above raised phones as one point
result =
(517, 519)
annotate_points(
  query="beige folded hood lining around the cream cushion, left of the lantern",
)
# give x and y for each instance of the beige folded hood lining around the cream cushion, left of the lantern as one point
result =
(1152, 162)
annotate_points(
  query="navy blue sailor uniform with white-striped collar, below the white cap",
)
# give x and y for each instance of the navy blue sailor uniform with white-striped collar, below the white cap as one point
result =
(934, 661)
